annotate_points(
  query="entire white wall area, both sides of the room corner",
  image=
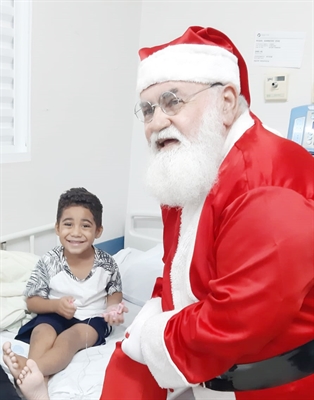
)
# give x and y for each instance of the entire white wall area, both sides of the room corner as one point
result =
(84, 62)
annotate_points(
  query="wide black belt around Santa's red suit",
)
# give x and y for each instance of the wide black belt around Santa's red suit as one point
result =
(285, 368)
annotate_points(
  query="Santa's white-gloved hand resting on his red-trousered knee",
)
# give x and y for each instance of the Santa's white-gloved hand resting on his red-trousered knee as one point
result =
(131, 345)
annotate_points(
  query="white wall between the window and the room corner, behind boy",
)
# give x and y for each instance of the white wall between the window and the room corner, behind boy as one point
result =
(83, 69)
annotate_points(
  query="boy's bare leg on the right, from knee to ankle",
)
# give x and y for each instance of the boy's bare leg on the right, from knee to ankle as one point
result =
(66, 345)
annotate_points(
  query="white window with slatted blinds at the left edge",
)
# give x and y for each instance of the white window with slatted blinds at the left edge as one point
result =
(15, 28)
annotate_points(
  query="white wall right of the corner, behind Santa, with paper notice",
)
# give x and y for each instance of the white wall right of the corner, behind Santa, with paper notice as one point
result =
(162, 22)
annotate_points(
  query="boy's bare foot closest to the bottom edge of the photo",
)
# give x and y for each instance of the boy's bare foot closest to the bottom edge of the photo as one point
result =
(31, 382)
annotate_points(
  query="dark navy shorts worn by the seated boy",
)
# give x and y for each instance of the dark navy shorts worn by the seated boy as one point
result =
(60, 324)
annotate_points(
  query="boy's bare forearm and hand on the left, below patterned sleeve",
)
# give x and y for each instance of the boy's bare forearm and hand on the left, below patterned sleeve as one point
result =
(63, 306)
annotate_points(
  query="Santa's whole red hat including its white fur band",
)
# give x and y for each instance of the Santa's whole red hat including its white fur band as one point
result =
(202, 55)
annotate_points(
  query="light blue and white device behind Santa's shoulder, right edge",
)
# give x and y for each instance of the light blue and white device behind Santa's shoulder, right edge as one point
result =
(301, 126)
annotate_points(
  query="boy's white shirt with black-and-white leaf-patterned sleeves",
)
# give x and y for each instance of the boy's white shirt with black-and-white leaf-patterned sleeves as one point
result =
(52, 279)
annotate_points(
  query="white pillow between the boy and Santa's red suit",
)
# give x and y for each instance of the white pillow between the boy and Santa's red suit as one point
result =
(139, 271)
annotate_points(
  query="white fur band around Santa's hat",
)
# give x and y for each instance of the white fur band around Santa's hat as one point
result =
(189, 62)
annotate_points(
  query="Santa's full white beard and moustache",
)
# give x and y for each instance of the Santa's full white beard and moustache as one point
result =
(185, 173)
